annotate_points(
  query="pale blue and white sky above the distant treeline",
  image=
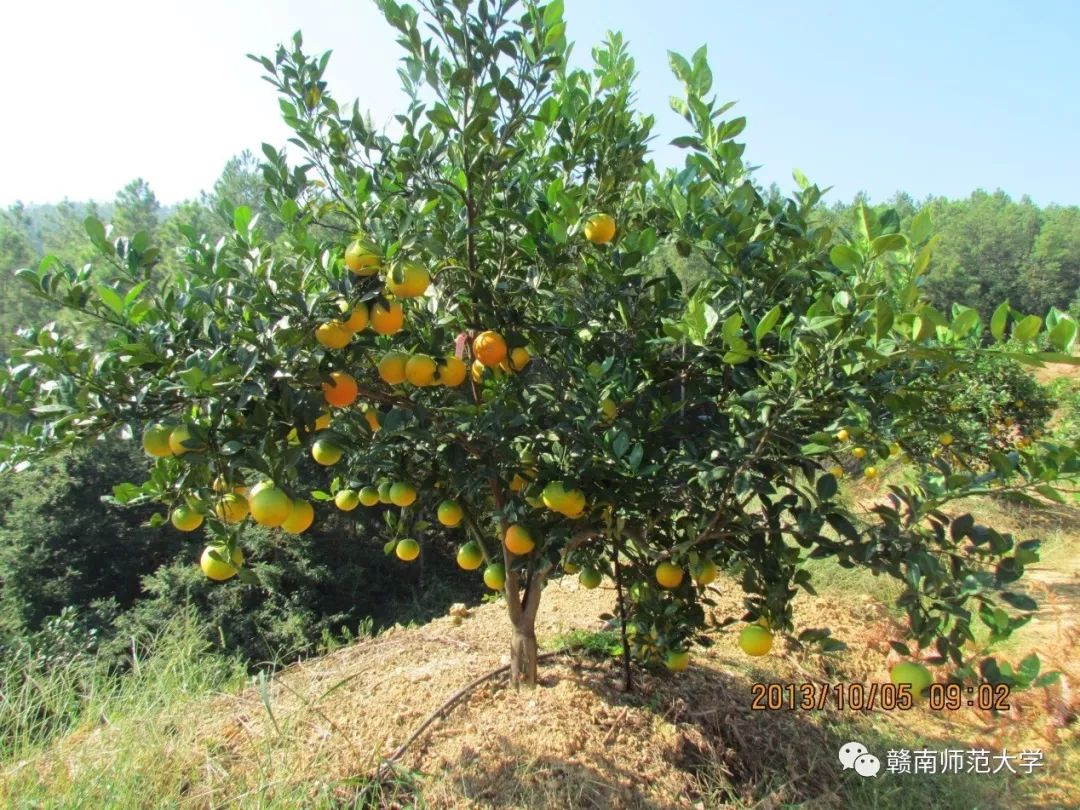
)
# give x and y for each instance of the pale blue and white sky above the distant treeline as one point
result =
(929, 98)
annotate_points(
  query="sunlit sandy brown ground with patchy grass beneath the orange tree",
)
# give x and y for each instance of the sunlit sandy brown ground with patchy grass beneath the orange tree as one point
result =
(316, 733)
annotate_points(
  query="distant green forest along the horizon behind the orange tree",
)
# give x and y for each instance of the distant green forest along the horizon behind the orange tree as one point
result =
(992, 248)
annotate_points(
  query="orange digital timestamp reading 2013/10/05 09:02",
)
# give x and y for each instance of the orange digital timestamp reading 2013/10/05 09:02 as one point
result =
(869, 697)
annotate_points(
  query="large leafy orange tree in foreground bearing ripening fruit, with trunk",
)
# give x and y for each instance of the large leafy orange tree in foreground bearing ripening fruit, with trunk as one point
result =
(478, 305)
